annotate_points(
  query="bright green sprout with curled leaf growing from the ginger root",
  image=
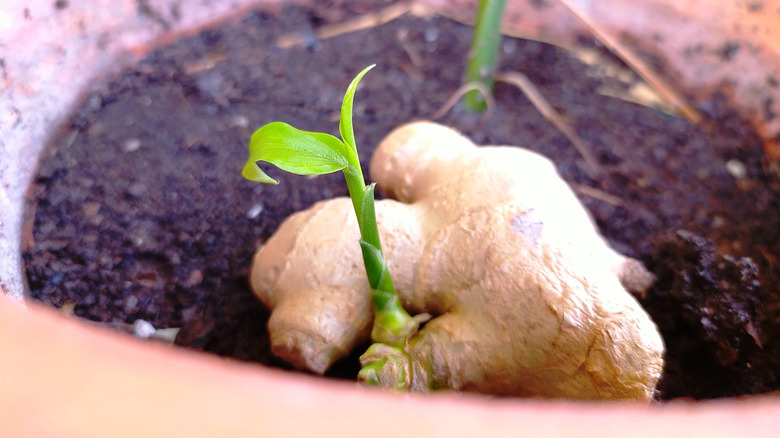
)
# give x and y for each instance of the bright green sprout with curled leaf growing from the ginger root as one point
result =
(314, 153)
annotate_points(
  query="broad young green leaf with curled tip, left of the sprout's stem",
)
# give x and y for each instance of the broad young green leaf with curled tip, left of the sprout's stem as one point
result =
(293, 150)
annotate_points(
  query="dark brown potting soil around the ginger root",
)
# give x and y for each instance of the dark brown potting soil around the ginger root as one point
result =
(140, 211)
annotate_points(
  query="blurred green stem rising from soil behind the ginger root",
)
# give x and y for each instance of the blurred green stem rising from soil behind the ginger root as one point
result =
(484, 51)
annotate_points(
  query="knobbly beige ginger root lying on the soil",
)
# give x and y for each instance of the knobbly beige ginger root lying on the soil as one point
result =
(527, 298)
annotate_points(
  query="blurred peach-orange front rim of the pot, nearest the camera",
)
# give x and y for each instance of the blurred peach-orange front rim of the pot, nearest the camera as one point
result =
(96, 383)
